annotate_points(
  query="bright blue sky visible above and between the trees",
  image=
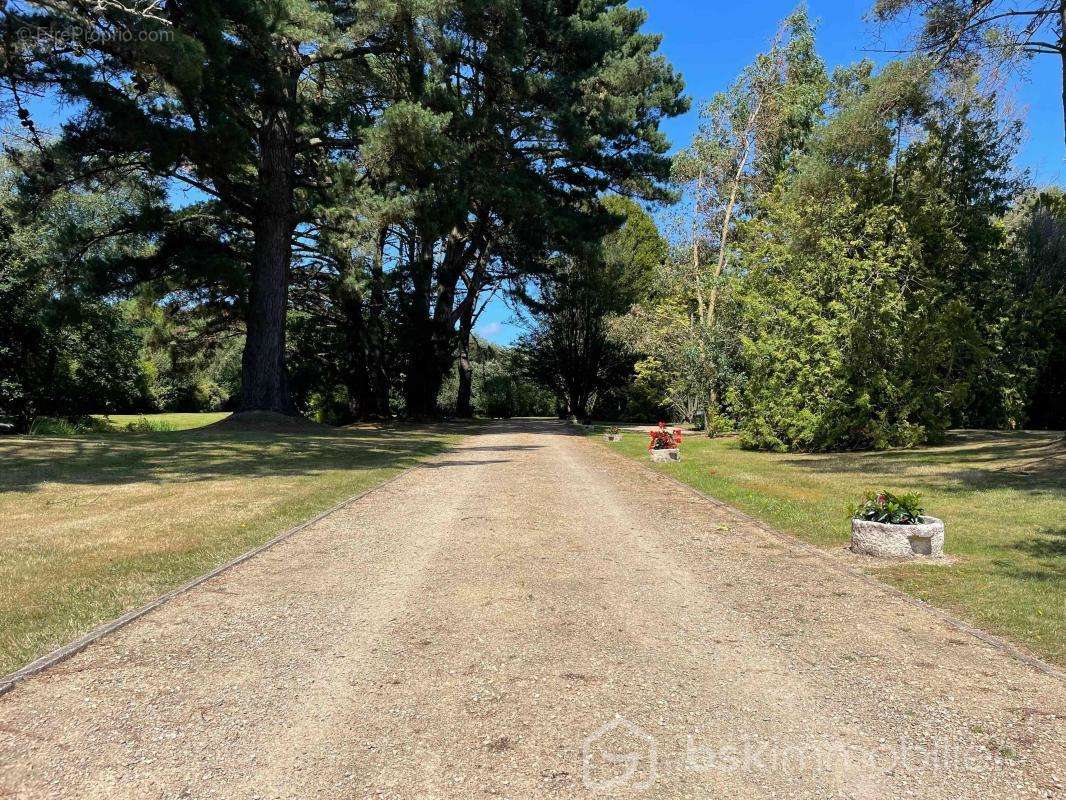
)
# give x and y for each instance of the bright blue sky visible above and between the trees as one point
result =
(710, 42)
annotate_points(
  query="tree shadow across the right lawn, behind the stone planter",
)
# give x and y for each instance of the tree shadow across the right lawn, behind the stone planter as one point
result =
(1028, 461)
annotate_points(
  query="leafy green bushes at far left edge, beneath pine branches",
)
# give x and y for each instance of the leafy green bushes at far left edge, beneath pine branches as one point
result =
(66, 347)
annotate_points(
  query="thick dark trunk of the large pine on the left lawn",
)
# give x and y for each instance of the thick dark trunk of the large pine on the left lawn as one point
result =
(266, 386)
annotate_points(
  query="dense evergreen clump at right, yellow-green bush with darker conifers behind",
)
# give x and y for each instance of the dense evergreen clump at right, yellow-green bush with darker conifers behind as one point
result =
(873, 306)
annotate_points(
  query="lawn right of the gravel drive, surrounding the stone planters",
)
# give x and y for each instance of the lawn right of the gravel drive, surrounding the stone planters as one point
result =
(1002, 495)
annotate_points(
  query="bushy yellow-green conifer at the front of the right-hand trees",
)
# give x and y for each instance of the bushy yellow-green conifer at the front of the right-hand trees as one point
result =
(827, 332)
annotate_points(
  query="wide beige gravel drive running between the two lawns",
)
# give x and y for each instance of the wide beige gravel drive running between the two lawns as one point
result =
(526, 617)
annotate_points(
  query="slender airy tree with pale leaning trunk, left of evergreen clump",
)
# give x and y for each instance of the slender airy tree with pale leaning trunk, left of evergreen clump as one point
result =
(686, 332)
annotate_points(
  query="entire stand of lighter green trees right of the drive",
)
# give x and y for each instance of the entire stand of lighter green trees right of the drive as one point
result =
(857, 264)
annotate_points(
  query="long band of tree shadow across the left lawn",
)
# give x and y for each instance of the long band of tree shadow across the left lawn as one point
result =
(209, 455)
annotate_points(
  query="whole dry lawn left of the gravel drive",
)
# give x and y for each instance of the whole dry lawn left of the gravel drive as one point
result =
(94, 525)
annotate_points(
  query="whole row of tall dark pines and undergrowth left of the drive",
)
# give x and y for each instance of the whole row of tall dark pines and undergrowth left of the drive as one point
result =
(331, 188)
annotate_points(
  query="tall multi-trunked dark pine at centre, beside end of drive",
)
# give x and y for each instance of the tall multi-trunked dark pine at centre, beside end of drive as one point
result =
(516, 116)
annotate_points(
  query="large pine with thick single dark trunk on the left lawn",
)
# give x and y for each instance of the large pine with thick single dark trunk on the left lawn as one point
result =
(244, 103)
